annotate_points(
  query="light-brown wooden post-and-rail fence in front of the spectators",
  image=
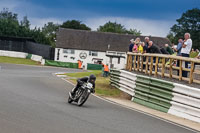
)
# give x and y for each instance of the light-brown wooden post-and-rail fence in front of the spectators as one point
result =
(163, 65)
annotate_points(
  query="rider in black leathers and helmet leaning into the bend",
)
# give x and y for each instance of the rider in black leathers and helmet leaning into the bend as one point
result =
(81, 81)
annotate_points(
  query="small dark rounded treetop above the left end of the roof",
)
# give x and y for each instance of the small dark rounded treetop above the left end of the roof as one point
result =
(75, 24)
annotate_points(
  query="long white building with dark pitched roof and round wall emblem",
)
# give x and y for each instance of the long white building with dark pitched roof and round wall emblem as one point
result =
(93, 47)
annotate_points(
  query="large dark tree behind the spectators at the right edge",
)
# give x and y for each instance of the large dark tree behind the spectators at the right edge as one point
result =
(188, 22)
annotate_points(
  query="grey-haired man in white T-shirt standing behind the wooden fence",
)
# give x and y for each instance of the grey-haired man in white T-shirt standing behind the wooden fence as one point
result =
(185, 51)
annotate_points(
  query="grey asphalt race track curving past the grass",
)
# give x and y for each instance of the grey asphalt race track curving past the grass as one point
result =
(32, 100)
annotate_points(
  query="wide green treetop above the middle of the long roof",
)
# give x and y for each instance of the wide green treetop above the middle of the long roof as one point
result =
(117, 28)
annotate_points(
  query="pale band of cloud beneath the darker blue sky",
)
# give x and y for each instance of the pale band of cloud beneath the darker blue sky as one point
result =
(39, 15)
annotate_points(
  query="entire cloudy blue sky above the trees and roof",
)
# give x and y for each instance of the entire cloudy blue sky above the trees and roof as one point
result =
(151, 17)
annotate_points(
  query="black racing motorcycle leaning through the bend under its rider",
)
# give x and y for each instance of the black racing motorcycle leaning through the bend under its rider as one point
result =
(81, 94)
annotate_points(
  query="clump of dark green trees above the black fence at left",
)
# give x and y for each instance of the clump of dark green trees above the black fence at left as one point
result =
(10, 26)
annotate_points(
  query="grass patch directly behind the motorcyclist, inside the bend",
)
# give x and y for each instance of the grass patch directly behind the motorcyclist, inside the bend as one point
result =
(103, 87)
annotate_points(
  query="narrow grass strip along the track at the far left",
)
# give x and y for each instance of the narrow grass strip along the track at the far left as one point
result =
(4, 59)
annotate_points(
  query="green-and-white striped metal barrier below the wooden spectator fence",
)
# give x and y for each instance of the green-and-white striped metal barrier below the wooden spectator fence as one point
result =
(173, 98)
